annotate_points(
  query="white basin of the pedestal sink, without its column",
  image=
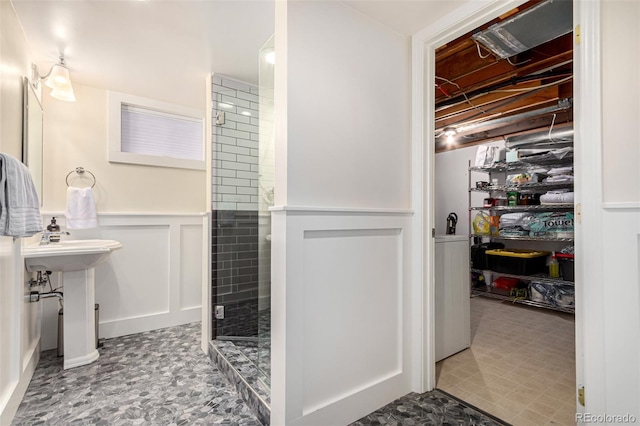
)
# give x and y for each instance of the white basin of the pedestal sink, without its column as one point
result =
(68, 255)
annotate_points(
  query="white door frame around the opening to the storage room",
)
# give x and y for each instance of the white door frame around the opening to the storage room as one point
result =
(587, 119)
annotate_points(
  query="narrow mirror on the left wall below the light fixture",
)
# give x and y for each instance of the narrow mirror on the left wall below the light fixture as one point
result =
(32, 135)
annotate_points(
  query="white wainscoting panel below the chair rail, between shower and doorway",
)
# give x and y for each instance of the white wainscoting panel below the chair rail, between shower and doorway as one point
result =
(343, 294)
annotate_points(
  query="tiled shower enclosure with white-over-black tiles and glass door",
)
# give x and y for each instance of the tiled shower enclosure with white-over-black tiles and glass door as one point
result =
(242, 191)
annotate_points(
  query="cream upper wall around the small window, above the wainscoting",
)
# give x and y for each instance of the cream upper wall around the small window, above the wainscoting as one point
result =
(75, 134)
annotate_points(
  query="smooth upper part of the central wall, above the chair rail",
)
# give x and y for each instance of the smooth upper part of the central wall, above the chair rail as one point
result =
(348, 109)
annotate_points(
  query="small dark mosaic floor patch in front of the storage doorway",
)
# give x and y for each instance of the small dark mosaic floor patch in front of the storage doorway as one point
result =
(432, 408)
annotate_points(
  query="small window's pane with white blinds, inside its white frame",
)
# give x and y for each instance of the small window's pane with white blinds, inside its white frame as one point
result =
(164, 135)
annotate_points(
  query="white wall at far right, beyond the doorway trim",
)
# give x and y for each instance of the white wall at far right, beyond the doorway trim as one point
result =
(615, 293)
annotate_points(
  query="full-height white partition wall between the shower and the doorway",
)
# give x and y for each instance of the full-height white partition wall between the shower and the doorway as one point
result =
(341, 294)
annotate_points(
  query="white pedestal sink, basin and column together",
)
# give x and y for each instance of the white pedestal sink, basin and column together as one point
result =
(76, 260)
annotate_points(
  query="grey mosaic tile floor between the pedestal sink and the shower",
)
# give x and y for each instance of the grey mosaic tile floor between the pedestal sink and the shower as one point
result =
(155, 378)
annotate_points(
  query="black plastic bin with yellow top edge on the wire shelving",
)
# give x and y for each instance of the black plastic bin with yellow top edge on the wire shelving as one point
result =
(518, 262)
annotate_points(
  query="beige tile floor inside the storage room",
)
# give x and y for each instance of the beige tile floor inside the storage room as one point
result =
(520, 367)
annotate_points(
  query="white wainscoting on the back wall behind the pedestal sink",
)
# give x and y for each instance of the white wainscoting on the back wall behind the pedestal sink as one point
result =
(153, 282)
